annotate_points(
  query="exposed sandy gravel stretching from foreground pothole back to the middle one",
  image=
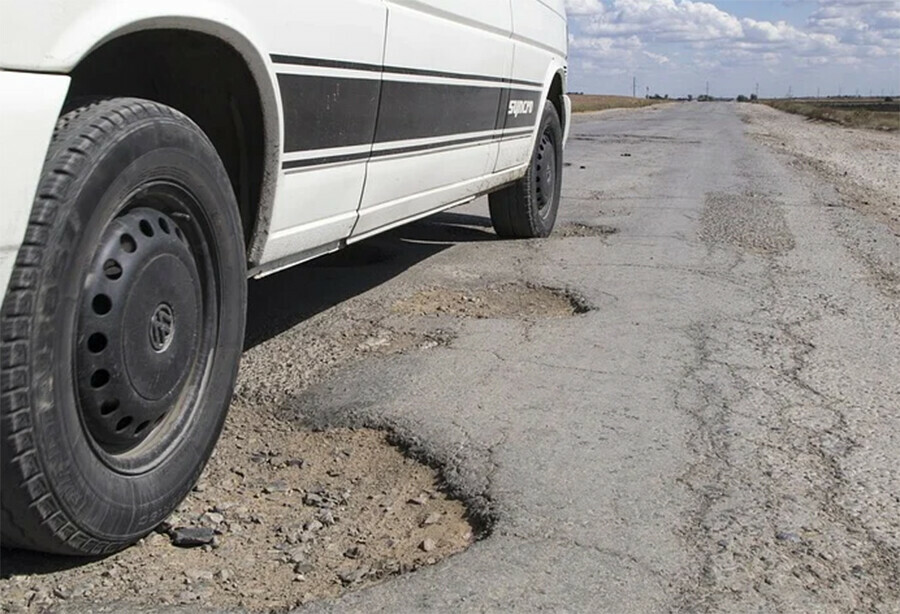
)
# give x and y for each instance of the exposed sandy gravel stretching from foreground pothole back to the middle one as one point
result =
(292, 515)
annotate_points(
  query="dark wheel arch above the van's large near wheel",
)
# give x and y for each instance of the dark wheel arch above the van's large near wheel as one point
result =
(250, 145)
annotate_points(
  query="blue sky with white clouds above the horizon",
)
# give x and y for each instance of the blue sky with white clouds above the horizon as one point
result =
(787, 47)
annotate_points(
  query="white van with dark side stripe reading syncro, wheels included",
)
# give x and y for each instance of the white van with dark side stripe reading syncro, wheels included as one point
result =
(157, 154)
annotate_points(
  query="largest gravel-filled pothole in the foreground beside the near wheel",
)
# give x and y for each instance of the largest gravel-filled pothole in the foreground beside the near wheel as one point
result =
(297, 516)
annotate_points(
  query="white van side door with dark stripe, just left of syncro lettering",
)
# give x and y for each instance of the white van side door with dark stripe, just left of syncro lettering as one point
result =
(447, 65)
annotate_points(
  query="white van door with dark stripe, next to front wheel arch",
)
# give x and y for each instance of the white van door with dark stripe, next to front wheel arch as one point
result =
(327, 59)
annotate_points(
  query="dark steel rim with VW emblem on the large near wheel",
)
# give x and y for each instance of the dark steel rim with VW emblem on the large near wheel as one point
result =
(165, 217)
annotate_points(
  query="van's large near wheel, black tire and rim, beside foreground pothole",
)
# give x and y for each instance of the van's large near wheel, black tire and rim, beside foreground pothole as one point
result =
(122, 329)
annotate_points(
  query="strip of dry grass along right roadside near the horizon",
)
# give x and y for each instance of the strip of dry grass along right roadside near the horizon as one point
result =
(856, 113)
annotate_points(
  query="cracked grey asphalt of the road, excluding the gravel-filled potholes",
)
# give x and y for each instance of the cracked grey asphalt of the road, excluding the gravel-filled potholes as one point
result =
(719, 433)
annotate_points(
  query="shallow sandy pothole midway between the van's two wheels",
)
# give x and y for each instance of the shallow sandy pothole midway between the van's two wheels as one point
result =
(515, 300)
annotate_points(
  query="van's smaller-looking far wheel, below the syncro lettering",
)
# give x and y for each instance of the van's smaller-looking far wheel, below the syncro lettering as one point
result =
(527, 209)
